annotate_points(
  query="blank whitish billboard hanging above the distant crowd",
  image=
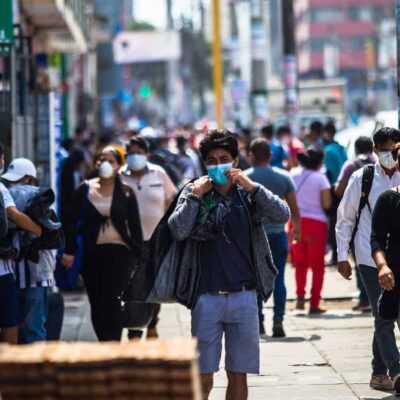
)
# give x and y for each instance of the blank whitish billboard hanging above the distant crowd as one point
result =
(140, 47)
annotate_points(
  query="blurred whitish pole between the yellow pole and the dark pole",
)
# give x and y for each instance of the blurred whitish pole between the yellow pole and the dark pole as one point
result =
(259, 102)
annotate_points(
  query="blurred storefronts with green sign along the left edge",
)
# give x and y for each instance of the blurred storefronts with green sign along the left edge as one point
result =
(41, 78)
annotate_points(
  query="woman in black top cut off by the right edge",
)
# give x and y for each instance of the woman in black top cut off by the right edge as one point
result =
(385, 247)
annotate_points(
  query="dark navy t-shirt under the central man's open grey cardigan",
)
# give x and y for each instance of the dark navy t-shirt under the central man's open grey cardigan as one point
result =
(227, 260)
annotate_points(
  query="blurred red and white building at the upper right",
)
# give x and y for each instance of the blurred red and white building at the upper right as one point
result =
(353, 39)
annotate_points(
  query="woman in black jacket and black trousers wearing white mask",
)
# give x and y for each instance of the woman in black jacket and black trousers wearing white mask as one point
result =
(112, 237)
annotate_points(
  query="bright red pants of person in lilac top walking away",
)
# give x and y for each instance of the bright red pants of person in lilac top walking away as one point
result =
(310, 253)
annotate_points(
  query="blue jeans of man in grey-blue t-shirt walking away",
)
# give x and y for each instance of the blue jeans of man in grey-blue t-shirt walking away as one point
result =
(279, 245)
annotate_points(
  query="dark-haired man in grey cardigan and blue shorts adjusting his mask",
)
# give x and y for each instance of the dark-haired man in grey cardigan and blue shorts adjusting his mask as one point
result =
(223, 213)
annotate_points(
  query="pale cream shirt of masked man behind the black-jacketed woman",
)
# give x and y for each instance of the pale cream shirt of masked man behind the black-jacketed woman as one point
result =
(152, 191)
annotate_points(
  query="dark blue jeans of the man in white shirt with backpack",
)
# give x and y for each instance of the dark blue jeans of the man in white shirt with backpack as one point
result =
(385, 353)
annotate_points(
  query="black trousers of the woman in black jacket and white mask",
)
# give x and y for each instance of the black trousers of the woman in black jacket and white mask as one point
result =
(105, 272)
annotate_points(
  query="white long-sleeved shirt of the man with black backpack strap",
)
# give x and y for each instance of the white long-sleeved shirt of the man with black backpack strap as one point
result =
(347, 211)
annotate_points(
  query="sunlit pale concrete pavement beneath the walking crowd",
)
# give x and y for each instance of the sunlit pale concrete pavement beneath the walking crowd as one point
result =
(322, 357)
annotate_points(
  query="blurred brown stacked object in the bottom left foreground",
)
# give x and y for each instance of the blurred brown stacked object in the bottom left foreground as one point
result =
(152, 369)
